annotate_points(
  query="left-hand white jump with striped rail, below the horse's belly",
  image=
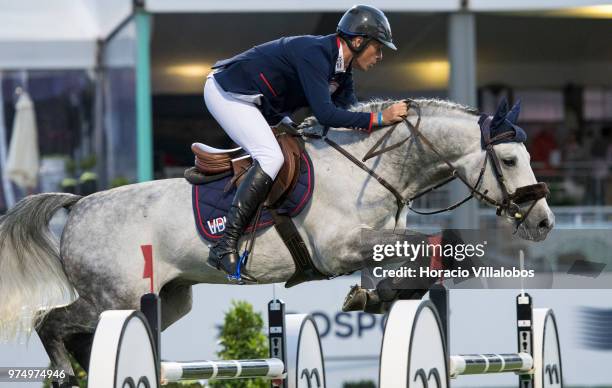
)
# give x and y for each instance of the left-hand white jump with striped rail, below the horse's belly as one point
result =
(126, 348)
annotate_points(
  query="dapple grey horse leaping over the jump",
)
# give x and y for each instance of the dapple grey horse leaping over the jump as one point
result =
(59, 289)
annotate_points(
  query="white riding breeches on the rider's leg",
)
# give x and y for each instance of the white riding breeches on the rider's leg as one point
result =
(245, 125)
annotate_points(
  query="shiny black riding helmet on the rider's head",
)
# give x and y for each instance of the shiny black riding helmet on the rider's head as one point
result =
(366, 21)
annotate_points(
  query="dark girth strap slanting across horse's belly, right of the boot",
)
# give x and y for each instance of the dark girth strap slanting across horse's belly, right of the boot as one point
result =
(305, 270)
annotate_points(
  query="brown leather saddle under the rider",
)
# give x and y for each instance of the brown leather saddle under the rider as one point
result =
(214, 163)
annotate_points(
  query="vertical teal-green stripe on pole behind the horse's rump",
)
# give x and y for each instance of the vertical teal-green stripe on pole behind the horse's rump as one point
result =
(143, 97)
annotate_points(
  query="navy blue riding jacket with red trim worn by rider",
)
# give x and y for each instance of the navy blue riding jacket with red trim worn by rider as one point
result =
(294, 72)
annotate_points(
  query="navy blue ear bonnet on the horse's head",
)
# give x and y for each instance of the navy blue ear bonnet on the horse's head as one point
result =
(503, 121)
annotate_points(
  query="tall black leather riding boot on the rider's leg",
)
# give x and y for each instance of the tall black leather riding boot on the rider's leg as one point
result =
(252, 191)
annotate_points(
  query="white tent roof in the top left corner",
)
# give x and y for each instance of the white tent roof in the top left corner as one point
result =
(59, 34)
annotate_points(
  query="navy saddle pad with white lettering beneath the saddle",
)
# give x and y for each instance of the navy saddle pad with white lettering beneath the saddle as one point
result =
(211, 202)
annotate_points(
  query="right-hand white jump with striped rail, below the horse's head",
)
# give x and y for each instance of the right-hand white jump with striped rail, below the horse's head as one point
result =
(415, 351)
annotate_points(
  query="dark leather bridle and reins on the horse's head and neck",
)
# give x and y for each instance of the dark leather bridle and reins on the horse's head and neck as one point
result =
(510, 203)
